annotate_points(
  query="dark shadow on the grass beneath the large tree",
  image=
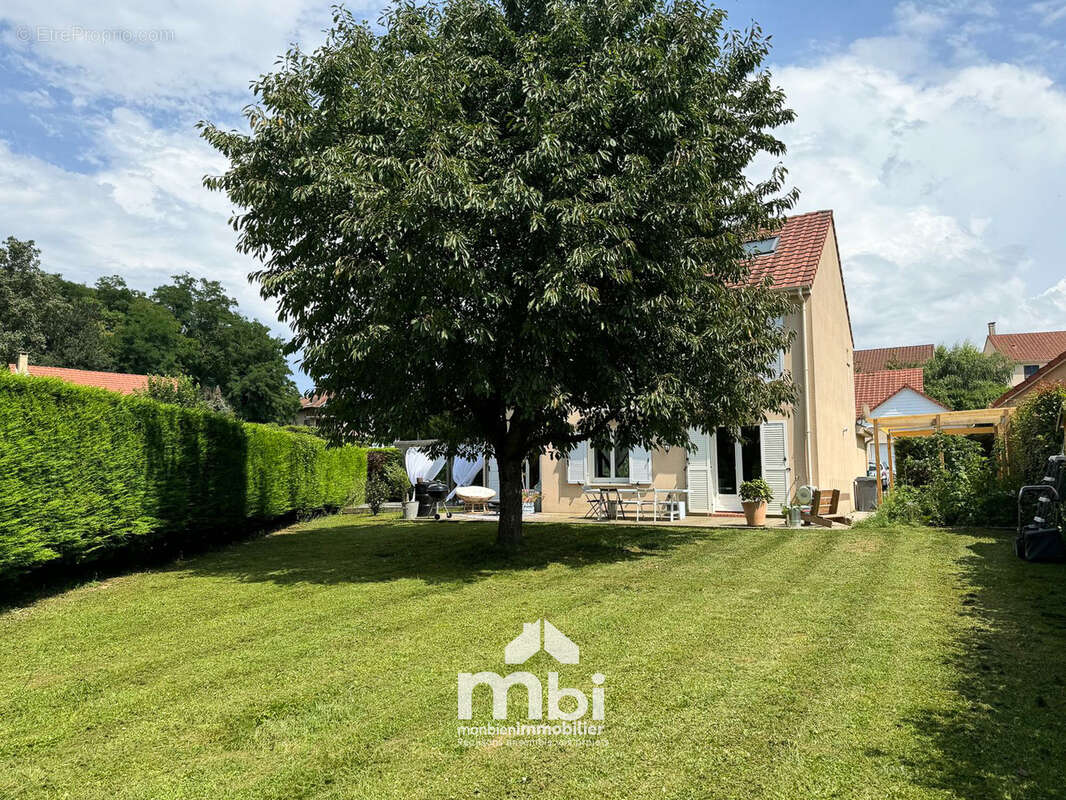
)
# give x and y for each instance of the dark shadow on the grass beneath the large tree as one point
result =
(435, 553)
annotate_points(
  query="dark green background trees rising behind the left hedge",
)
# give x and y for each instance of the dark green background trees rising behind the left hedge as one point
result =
(189, 328)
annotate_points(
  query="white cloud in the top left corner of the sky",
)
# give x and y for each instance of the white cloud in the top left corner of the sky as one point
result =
(158, 55)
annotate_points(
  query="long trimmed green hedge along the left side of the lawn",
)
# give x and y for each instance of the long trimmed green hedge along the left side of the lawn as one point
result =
(87, 473)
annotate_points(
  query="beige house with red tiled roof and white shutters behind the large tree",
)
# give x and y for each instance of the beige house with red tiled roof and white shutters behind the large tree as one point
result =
(814, 444)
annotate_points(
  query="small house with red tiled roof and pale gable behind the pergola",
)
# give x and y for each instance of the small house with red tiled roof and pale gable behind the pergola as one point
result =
(891, 393)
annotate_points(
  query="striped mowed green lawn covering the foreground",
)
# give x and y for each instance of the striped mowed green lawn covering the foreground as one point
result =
(322, 663)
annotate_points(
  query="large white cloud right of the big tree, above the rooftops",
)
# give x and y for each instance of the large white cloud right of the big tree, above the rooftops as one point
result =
(947, 186)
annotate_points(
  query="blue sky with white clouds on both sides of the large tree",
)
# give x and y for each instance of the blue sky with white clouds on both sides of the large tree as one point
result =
(935, 132)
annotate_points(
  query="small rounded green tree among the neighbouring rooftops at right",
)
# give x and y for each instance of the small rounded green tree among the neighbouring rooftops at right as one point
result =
(963, 378)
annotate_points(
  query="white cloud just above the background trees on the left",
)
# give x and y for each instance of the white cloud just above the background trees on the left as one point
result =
(147, 218)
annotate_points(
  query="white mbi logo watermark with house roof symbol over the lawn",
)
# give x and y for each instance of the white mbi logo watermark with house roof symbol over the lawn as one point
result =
(562, 723)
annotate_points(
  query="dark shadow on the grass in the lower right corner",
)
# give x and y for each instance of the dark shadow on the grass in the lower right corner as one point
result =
(1010, 740)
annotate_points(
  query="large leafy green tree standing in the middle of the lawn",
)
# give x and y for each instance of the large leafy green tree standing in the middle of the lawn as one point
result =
(520, 226)
